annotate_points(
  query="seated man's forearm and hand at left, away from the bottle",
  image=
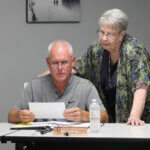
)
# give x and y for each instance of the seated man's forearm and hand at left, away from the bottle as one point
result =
(24, 116)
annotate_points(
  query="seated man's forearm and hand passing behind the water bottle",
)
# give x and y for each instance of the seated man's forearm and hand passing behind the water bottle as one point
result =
(76, 114)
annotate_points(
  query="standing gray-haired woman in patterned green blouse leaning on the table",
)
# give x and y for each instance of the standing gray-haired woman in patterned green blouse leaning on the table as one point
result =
(119, 66)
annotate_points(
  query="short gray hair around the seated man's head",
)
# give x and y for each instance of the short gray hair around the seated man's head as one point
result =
(60, 42)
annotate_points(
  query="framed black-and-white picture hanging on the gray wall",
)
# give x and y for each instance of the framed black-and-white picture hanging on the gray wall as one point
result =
(52, 11)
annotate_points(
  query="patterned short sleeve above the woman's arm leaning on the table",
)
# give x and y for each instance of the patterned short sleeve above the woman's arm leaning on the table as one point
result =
(140, 69)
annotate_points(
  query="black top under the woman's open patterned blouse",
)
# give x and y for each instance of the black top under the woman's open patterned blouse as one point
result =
(108, 83)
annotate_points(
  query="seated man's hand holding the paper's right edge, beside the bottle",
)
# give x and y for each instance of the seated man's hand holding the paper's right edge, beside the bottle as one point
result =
(76, 114)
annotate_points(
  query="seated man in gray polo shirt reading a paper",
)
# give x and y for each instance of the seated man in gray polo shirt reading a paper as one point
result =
(59, 86)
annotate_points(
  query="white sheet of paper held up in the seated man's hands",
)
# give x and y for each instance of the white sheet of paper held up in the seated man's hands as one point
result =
(47, 110)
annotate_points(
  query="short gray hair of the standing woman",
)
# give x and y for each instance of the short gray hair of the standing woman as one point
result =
(114, 18)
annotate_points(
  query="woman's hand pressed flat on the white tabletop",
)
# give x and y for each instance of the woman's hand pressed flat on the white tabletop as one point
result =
(132, 120)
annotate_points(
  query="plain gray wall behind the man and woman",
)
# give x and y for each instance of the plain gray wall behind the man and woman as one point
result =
(23, 47)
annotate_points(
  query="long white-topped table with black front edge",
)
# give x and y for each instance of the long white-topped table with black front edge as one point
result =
(111, 135)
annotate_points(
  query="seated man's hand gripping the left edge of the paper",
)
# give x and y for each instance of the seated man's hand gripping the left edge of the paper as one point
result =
(26, 116)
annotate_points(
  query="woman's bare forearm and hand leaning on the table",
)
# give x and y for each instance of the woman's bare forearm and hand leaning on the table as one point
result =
(138, 107)
